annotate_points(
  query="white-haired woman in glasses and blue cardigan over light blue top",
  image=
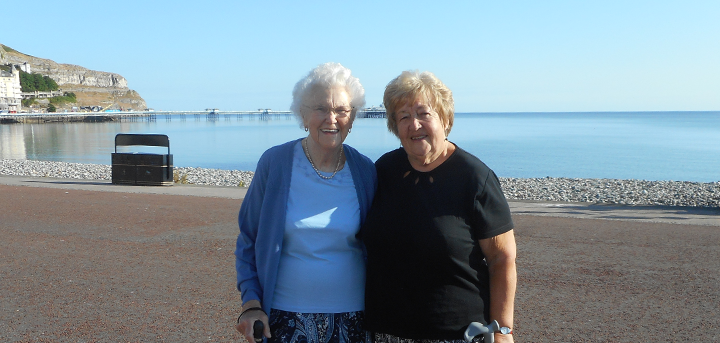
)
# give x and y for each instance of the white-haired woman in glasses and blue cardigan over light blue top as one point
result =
(300, 264)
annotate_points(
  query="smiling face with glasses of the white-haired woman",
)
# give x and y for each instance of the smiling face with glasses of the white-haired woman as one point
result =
(327, 114)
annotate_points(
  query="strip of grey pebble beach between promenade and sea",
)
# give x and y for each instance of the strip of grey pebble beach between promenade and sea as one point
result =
(599, 191)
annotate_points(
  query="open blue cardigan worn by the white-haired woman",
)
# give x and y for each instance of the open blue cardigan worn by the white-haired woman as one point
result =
(257, 252)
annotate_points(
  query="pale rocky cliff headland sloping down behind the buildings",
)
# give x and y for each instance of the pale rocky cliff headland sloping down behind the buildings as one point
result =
(92, 88)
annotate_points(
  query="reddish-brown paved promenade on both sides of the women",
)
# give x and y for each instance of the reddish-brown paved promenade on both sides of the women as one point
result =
(88, 261)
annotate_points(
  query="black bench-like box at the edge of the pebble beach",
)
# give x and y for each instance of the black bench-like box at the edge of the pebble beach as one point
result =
(141, 168)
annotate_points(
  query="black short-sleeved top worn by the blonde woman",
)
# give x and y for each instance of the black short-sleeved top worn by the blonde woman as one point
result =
(426, 275)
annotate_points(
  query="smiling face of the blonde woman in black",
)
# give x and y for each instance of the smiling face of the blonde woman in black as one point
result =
(421, 131)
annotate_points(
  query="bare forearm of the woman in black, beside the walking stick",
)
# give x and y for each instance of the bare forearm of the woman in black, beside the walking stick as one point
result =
(500, 253)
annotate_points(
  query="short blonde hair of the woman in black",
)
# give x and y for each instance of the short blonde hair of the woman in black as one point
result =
(411, 85)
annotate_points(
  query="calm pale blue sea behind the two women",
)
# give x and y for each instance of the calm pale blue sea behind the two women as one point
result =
(632, 145)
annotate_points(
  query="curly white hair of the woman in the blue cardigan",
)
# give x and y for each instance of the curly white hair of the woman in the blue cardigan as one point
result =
(329, 75)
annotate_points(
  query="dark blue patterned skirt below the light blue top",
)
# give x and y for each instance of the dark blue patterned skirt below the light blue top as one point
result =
(294, 327)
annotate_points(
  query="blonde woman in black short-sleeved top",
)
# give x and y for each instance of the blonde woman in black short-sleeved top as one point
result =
(439, 236)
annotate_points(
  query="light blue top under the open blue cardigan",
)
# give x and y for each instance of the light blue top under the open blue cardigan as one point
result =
(322, 269)
